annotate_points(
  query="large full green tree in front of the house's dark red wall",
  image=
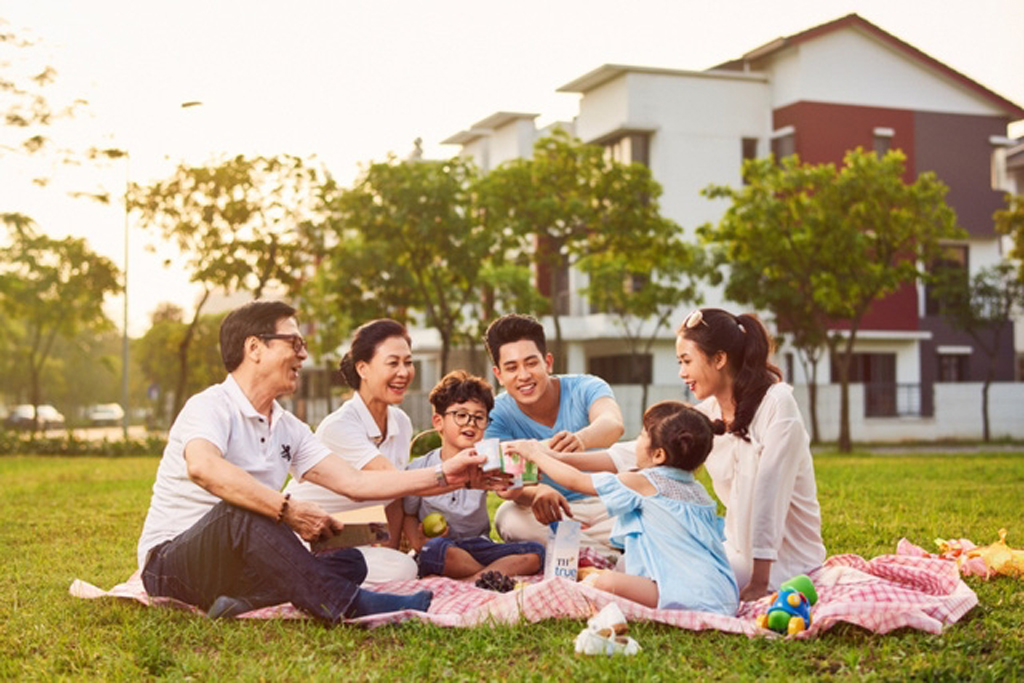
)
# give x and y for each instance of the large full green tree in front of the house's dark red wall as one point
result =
(858, 233)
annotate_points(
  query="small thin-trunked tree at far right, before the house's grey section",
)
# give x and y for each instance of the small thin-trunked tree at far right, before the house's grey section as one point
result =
(983, 307)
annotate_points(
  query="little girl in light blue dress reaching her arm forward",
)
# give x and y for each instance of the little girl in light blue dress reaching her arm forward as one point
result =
(665, 521)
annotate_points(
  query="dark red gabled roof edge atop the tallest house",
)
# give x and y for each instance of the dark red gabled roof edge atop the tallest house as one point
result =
(858, 22)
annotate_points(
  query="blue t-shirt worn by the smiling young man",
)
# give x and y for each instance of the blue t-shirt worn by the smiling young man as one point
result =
(578, 394)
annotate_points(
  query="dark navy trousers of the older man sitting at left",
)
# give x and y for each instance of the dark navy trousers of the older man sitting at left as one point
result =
(235, 552)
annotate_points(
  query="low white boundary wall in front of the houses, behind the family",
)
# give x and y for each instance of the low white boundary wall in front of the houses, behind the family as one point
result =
(958, 412)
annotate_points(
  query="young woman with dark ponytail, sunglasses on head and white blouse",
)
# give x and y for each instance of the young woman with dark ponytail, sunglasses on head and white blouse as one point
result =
(761, 468)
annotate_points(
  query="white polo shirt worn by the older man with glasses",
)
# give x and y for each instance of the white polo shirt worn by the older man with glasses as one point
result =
(224, 416)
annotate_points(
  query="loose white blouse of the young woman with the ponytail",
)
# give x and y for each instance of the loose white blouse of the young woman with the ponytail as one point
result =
(769, 488)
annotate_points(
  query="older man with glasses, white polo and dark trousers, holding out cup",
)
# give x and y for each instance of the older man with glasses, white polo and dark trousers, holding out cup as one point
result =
(220, 534)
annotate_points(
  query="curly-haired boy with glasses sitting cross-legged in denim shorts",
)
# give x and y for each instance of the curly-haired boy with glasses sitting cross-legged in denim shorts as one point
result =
(465, 550)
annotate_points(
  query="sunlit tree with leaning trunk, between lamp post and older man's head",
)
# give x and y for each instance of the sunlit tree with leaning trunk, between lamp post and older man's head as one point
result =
(238, 227)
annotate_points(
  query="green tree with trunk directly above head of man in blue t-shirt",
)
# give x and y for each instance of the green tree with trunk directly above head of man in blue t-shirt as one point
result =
(571, 200)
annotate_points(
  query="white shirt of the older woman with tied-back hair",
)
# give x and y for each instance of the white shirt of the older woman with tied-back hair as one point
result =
(352, 433)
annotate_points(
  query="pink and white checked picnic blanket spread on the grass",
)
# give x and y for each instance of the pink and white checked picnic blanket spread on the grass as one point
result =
(904, 590)
